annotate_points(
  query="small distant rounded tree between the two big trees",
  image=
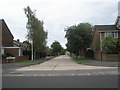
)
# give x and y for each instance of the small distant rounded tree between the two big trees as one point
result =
(56, 48)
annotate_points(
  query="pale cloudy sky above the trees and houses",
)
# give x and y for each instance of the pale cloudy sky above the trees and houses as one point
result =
(57, 15)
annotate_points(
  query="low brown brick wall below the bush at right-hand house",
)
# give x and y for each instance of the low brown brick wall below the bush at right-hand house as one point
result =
(107, 57)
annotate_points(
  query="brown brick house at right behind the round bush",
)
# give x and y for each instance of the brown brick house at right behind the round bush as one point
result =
(100, 32)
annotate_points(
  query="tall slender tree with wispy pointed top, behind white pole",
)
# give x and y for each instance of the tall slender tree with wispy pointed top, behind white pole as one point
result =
(36, 34)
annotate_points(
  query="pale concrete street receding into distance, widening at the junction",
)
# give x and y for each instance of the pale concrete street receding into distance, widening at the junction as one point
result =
(62, 63)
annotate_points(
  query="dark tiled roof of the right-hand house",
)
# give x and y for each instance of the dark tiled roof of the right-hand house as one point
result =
(105, 27)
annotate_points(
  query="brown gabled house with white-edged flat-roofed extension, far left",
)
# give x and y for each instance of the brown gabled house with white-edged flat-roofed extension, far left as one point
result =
(6, 42)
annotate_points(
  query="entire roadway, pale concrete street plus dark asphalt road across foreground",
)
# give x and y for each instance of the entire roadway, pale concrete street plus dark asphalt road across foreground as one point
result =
(61, 72)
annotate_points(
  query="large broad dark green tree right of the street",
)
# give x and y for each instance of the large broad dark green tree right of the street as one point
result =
(78, 37)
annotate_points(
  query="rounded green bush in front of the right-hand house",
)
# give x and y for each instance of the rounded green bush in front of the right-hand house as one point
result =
(110, 45)
